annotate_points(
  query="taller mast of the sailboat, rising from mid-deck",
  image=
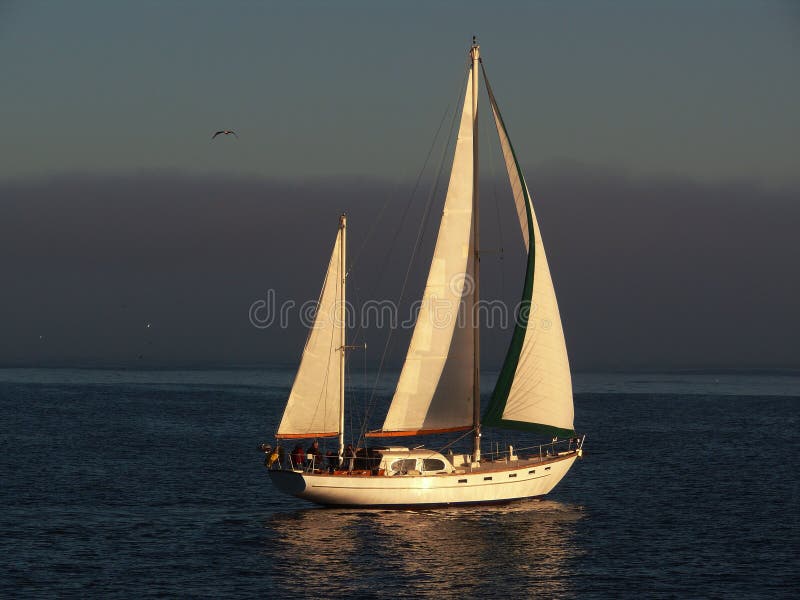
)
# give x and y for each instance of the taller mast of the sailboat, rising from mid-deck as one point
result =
(476, 380)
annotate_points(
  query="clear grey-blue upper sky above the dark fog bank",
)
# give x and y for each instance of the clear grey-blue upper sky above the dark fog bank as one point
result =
(702, 90)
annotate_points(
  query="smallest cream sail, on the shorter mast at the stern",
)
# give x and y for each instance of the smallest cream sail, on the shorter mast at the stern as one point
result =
(313, 409)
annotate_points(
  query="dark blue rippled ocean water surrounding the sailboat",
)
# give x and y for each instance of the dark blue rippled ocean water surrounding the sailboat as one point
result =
(148, 484)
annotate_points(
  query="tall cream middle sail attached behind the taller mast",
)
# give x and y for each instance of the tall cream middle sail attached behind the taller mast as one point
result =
(434, 392)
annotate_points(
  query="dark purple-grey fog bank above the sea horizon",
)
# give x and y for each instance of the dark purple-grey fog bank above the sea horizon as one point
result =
(649, 273)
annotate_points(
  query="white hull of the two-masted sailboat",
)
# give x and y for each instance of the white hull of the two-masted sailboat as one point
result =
(486, 484)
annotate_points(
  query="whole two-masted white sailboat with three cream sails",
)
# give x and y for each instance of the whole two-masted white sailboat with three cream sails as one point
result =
(438, 390)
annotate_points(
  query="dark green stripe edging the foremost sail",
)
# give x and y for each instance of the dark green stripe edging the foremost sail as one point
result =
(497, 404)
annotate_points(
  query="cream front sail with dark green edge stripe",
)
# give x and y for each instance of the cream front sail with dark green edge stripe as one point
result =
(534, 389)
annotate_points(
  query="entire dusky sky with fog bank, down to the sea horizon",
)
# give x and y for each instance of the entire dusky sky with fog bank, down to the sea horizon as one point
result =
(661, 142)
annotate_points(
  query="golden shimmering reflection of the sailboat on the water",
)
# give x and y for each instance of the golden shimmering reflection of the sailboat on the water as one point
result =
(529, 546)
